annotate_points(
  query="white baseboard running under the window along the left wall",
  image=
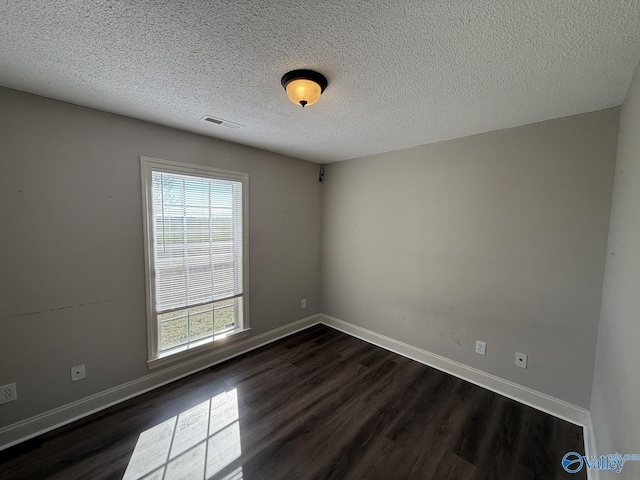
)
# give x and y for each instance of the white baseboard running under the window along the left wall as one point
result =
(47, 421)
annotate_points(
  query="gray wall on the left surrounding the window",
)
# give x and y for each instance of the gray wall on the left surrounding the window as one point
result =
(72, 275)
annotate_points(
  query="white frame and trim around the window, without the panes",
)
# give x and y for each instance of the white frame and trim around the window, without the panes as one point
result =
(149, 165)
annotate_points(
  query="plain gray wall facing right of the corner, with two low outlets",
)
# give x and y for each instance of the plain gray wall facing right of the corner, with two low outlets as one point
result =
(498, 237)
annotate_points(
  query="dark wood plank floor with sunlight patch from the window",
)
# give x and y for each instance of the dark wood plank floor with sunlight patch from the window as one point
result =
(316, 405)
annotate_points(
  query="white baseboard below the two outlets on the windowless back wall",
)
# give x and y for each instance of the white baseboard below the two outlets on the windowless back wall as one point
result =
(540, 401)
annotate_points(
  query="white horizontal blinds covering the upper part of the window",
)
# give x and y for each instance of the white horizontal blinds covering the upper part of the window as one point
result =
(197, 228)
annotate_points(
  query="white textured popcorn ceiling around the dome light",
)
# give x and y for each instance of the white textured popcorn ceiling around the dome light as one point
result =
(401, 73)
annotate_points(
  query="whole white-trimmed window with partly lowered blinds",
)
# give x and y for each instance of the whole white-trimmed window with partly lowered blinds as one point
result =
(196, 257)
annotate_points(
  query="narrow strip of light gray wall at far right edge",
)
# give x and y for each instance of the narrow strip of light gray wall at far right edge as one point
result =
(616, 383)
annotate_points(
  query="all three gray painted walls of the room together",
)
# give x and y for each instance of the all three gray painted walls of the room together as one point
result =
(499, 237)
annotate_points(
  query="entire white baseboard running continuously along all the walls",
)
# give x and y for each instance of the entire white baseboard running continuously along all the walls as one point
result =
(47, 421)
